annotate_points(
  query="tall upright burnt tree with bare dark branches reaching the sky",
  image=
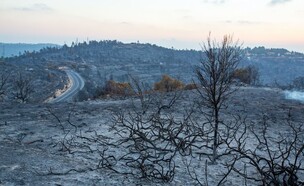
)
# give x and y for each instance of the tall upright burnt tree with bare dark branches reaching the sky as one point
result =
(215, 78)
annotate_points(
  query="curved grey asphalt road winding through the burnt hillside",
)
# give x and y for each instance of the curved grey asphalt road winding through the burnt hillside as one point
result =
(77, 84)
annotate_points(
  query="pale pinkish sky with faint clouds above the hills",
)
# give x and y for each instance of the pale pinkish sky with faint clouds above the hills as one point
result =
(181, 24)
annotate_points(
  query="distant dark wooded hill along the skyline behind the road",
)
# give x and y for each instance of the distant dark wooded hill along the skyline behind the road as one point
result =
(99, 61)
